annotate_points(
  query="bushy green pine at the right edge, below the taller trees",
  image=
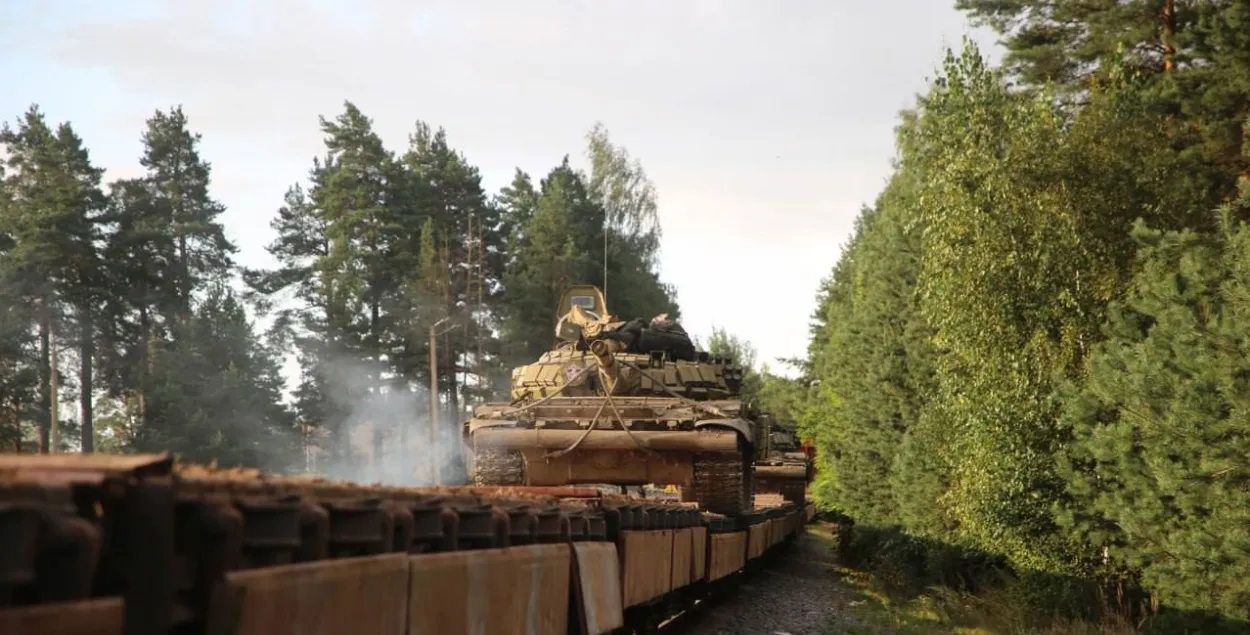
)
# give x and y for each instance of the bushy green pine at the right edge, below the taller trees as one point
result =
(1161, 429)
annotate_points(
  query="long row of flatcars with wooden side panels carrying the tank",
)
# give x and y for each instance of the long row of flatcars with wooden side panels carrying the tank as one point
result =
(141, 546)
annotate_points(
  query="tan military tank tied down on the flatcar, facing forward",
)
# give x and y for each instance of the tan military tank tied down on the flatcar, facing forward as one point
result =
(623, 404)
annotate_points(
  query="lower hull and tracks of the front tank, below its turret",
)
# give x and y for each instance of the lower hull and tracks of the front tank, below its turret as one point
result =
(703, 449)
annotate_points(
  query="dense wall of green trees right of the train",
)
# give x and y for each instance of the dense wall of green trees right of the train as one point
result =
(1037, 343)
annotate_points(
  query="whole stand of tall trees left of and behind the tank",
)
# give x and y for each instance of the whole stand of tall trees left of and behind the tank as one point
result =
(128, 326)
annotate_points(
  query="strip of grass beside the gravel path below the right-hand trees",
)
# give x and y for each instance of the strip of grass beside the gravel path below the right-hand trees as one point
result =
(868, 608)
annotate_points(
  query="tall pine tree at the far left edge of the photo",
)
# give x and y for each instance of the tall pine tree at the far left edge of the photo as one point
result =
(49, 266)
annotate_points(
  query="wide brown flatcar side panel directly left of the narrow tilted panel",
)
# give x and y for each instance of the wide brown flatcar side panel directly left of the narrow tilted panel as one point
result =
(518, 591)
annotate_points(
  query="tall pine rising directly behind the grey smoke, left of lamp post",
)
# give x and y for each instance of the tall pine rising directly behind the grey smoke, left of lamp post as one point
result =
(346, 254)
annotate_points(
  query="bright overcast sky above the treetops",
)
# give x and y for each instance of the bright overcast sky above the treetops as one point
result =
(766, 126)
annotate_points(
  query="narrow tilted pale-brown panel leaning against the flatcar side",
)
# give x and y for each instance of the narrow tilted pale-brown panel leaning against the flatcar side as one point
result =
(598, 588)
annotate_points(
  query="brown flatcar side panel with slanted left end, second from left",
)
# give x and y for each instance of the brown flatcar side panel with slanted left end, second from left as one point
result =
(358, 596)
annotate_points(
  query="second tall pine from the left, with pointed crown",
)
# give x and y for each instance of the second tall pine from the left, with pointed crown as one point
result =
(167, 246)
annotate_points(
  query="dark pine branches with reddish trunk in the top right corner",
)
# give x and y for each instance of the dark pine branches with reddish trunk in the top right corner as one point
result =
(1192, 54)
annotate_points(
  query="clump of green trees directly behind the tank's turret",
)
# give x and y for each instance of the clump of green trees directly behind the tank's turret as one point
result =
(574, 229)
